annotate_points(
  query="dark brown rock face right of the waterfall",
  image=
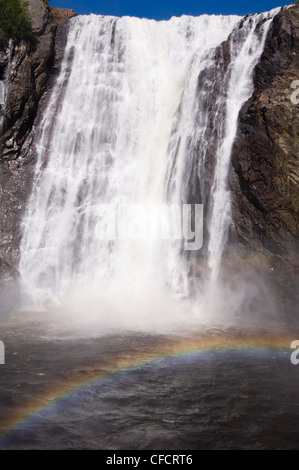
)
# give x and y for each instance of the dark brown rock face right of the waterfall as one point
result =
(265, 162)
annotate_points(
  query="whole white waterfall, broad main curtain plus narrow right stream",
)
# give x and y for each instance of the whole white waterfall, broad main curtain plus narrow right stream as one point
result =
(128, 118)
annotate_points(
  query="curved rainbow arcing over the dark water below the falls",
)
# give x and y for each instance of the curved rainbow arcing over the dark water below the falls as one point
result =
(176, 347)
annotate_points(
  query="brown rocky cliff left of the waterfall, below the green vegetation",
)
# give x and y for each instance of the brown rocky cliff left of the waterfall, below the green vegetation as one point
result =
(26, 72)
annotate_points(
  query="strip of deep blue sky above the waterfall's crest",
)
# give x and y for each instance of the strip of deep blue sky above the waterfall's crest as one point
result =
(164, 9)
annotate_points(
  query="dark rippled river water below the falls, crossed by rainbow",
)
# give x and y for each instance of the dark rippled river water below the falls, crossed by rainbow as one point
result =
(211, 389)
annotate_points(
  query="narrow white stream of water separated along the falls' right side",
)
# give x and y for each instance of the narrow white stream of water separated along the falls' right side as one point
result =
(246, 48)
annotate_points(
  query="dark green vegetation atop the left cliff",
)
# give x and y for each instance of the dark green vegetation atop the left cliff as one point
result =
(15, 22)
